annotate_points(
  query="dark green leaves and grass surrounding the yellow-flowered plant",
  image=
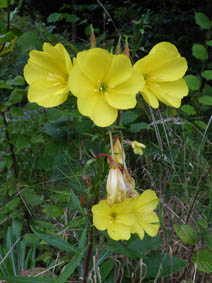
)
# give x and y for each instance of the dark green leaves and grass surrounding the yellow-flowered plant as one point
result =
(47, 170)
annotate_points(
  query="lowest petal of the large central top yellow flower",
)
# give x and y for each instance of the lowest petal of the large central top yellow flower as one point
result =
(103, 114)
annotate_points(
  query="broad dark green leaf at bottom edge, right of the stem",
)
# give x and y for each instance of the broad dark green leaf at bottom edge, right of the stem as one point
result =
(162, 265)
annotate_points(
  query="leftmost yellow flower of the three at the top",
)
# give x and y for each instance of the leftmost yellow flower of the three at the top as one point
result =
(47, 74)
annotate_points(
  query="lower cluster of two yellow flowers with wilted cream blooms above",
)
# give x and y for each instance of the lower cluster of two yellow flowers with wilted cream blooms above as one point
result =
(125, 212)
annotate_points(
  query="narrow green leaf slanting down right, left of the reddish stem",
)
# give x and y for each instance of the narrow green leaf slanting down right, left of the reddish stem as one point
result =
(55, 242)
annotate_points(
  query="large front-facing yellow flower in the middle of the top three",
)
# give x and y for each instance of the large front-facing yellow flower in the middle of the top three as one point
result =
(104, 83)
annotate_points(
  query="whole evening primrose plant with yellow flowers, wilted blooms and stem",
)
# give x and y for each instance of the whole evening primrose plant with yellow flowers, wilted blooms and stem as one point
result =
(106, 84)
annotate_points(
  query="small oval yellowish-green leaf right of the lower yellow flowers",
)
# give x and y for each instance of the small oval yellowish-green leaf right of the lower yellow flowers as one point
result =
(187, 234)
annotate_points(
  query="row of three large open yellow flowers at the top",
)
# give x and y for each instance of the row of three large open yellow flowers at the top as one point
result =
(104, 83)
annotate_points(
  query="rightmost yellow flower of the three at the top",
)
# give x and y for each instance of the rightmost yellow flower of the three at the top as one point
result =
(163, 69)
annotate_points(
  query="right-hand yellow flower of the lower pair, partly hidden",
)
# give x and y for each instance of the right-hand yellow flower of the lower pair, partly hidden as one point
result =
(146, 219)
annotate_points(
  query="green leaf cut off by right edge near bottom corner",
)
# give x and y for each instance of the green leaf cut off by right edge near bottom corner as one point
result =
(204, 261)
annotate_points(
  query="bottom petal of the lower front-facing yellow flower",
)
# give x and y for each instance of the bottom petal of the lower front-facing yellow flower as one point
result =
(118, 231)
